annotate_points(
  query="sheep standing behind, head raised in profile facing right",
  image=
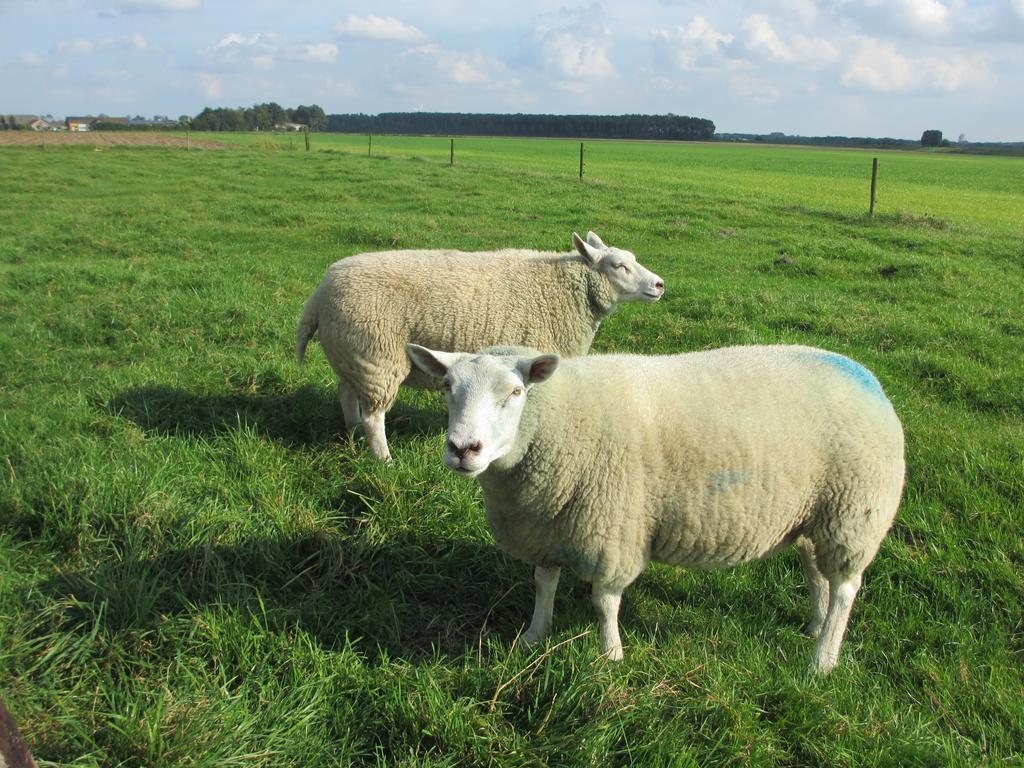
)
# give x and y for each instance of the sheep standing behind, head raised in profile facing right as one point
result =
(369, 307)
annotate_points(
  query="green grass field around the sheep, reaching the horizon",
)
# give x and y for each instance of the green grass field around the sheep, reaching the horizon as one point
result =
(199, 568)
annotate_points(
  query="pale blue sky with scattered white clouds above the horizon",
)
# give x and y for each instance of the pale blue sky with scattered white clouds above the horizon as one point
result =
(856, 68)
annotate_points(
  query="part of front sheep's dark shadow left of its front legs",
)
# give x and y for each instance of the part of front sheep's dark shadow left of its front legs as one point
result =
(411, 599)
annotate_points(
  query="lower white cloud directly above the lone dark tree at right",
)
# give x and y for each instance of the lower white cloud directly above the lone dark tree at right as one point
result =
(879, 67)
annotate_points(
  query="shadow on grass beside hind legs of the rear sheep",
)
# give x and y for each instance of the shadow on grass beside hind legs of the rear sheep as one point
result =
(307, 416)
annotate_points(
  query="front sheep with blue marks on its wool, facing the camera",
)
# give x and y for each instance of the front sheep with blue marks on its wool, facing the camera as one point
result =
(706, 459)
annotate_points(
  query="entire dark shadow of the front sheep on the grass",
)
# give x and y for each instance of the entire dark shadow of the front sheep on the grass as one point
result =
(413, 598)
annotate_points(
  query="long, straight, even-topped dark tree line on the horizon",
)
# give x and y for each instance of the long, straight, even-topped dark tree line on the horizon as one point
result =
(674, 127)
